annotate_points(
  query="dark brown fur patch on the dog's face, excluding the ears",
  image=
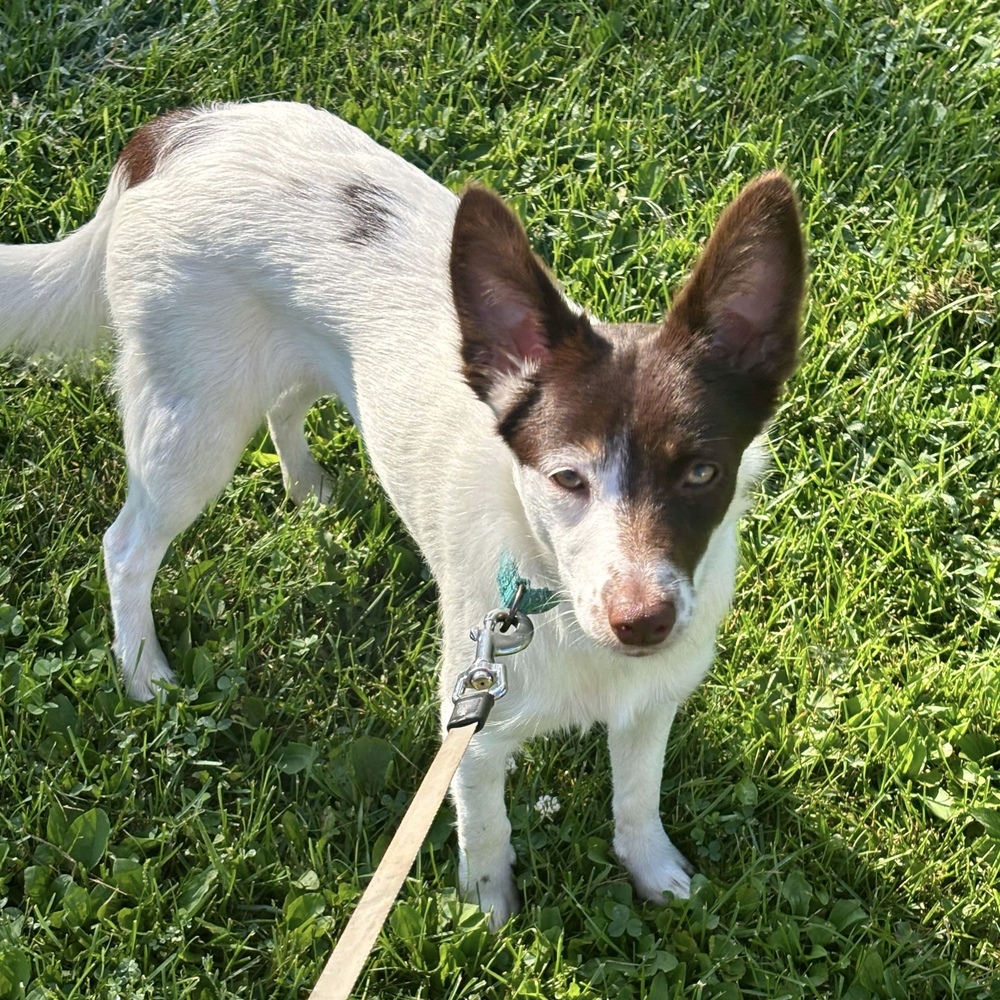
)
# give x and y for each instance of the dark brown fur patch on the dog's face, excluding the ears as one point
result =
(654, 413)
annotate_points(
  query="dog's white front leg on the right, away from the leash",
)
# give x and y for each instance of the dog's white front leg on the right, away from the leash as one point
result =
(643, 847)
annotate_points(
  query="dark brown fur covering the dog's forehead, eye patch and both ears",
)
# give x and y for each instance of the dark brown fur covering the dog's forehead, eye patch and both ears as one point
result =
(655, 400)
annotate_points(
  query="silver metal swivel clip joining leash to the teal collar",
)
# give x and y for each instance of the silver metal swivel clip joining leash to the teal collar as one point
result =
(502, 633)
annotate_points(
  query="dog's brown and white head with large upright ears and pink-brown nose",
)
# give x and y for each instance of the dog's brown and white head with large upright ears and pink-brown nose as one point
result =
(629, 437)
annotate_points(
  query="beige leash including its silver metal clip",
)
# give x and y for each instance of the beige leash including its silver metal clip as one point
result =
(502, 633)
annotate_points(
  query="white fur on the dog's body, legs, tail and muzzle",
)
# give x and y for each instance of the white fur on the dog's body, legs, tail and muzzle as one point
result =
(233, 301)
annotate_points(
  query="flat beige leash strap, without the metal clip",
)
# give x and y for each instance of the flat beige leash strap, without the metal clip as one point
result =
(348, 959)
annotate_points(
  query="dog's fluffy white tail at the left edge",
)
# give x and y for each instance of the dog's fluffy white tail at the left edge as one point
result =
(52, 294)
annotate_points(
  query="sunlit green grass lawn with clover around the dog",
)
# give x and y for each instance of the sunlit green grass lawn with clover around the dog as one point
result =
(837, 778)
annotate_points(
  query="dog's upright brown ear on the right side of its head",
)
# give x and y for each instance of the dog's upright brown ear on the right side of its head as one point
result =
(745, 293)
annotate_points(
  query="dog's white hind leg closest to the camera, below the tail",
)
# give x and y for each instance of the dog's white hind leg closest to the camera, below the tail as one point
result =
(181, 448)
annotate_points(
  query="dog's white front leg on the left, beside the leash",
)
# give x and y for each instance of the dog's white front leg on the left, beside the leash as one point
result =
(485, 852)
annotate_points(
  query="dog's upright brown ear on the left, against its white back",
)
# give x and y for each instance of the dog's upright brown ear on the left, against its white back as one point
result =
(510, 312)
